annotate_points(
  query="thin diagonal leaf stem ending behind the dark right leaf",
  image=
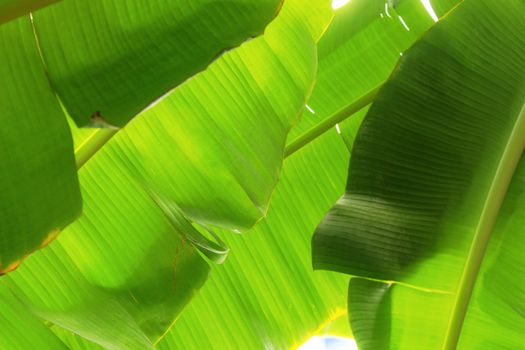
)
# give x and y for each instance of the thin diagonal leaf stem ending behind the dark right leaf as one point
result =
(331, 121)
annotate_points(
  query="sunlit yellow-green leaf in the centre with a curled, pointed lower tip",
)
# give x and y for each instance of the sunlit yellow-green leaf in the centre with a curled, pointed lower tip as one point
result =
(215, 145)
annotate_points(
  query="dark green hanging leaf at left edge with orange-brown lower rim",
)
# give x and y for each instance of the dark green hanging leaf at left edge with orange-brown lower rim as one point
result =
(39, 192)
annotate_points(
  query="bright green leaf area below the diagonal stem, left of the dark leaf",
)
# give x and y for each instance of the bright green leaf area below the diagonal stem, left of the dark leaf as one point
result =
(266, 295)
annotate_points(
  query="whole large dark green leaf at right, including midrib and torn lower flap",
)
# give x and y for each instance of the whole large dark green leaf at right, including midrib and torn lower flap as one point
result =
(427, 192)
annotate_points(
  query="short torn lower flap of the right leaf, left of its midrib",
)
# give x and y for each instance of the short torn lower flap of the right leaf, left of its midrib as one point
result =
(394, 316)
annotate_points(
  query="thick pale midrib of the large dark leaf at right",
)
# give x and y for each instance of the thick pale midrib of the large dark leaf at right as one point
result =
(491, 207)
